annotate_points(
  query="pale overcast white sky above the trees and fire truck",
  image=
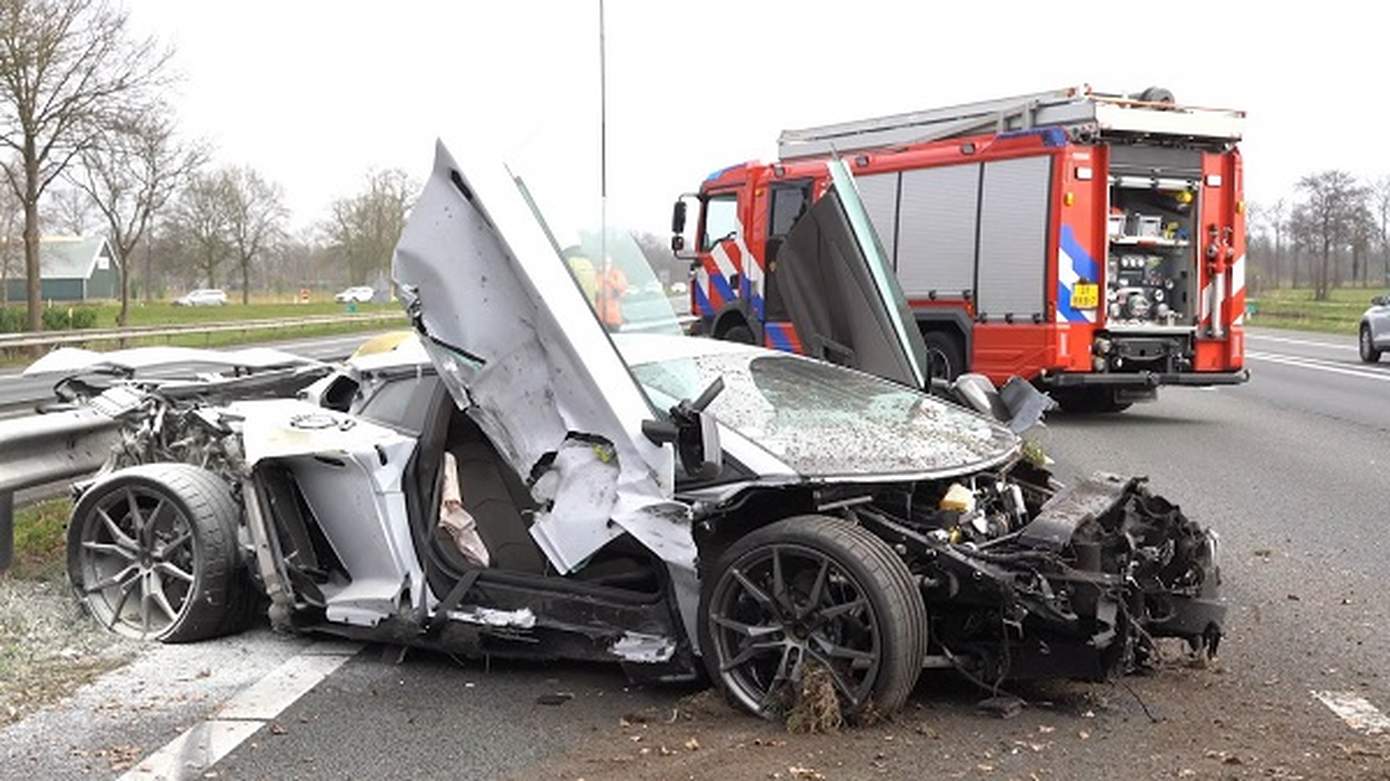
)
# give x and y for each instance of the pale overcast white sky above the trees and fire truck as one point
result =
(315, 94)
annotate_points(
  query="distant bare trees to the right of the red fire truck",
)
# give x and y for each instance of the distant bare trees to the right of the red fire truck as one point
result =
(1334, 231)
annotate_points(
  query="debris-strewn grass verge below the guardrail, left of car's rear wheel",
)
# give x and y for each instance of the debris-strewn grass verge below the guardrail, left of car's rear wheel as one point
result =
(48, 646)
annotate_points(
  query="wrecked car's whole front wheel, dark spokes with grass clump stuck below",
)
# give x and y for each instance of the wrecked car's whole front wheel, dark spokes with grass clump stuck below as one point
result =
(812, 590)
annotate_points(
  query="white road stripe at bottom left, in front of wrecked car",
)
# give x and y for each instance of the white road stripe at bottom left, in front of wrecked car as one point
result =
(206, 743)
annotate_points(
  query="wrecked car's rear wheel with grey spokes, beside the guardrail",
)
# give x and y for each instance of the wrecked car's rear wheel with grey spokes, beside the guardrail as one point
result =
(191, 520)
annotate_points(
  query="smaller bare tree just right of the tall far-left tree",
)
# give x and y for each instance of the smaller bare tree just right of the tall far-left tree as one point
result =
(130, 177)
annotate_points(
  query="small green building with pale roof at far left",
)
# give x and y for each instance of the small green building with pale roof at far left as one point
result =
(74, 269)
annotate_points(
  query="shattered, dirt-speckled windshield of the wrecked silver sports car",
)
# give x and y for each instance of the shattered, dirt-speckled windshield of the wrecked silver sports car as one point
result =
(828, 422)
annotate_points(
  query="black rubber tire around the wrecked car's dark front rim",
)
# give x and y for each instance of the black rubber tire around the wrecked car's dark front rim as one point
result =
(871, 569)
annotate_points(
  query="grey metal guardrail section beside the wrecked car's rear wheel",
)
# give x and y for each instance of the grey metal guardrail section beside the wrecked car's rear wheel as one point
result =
(44, 450)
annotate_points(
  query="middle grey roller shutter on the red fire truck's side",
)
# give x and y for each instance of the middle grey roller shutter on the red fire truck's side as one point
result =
(938, 230)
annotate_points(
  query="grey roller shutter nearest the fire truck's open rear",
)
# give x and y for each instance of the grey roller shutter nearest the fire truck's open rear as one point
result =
(1013, 252)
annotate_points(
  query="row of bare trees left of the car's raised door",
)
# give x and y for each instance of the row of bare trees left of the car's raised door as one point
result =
(88, 144)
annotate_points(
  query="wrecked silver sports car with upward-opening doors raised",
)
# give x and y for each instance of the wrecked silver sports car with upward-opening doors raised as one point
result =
(518, 480)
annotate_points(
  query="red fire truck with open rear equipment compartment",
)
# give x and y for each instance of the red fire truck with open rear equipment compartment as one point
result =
(1093, 244)
